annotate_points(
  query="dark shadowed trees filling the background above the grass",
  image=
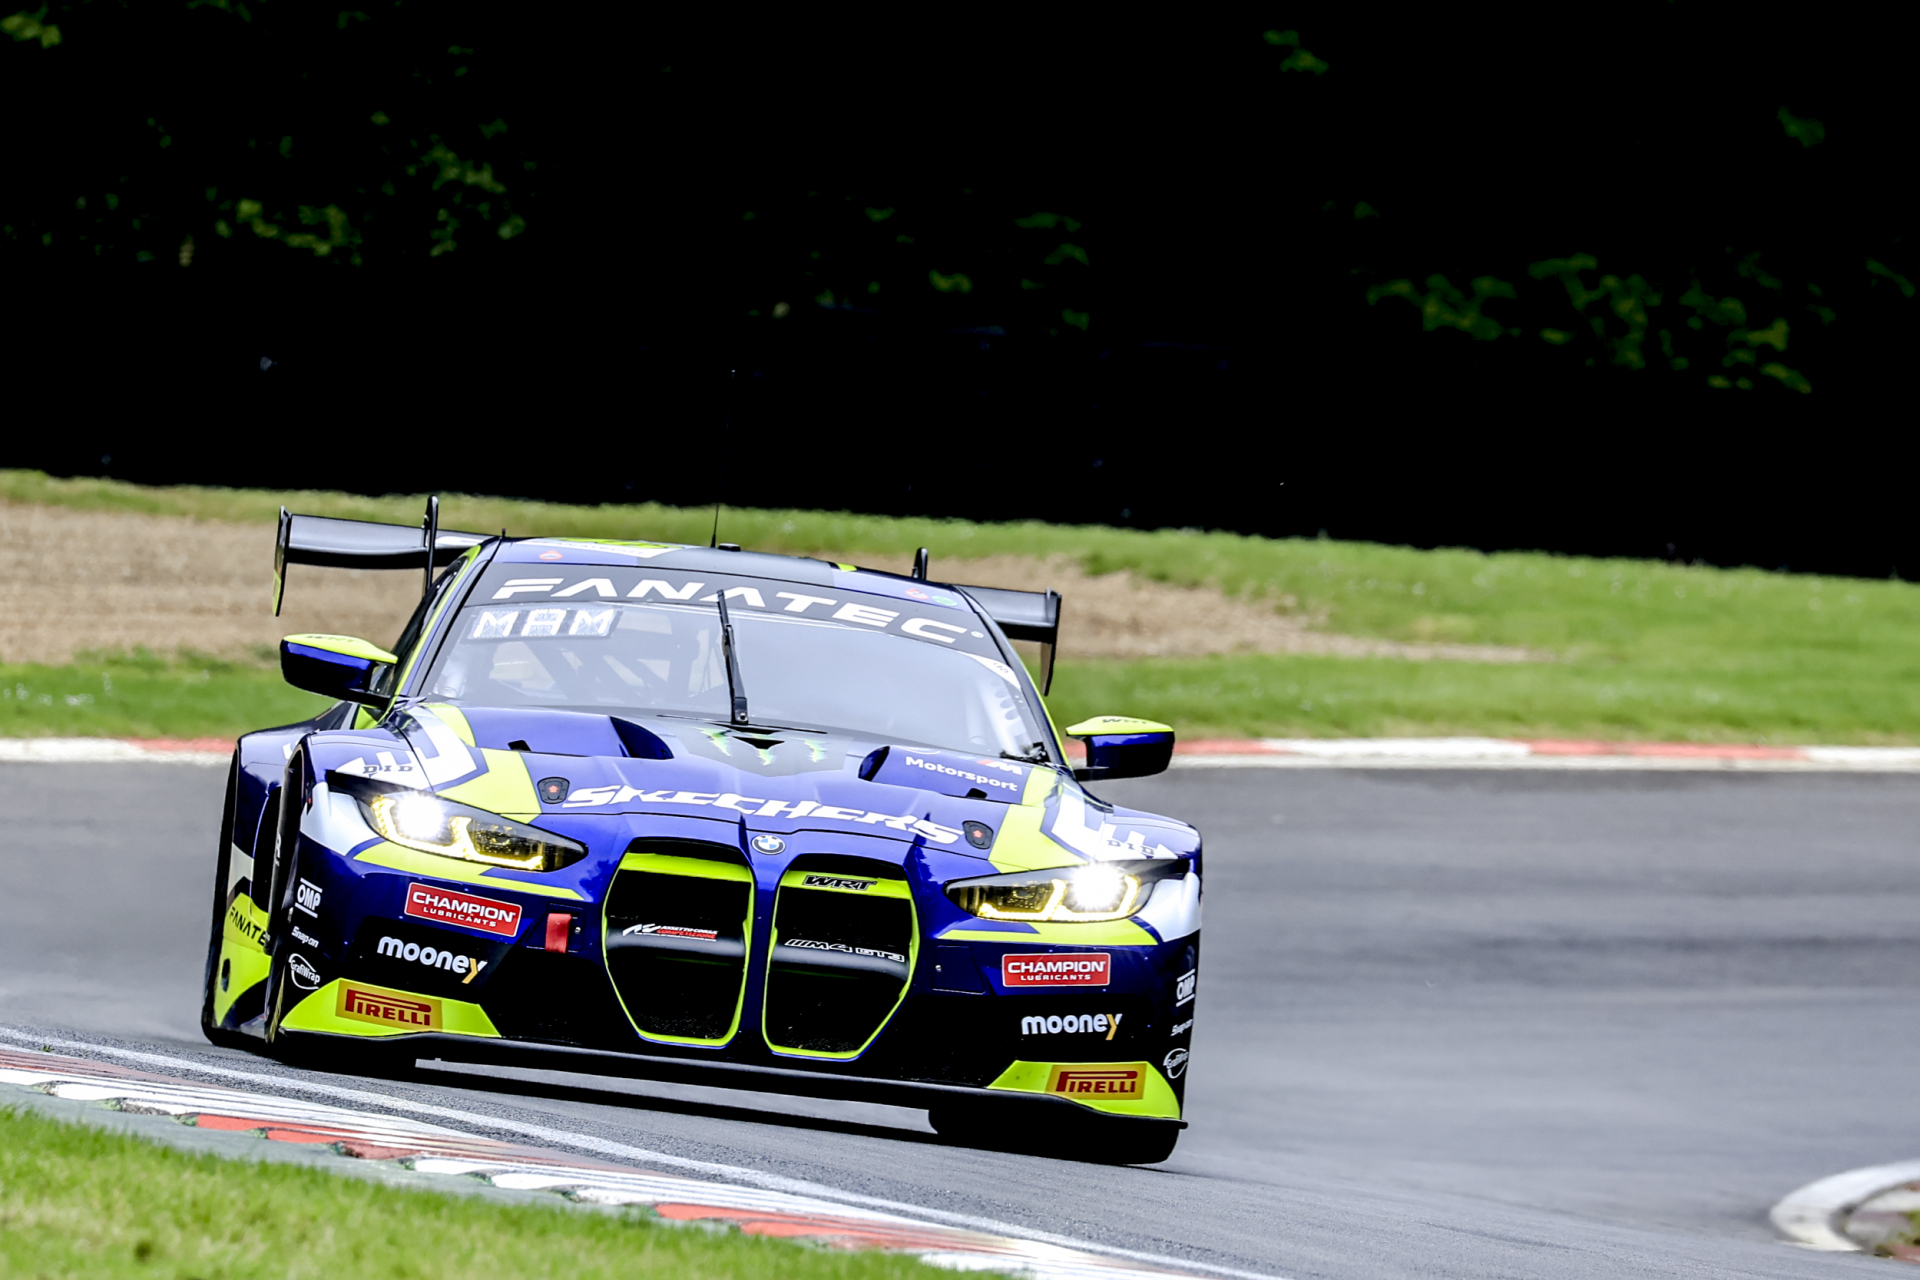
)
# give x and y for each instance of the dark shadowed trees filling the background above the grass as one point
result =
(1230, 375)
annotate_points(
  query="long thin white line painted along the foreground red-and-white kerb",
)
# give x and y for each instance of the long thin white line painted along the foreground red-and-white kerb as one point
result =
(587, 1143)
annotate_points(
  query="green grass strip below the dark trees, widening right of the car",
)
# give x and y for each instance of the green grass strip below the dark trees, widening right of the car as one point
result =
(1644, 650)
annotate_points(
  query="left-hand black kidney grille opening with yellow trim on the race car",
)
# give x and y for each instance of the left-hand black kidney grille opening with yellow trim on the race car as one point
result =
(679, 922)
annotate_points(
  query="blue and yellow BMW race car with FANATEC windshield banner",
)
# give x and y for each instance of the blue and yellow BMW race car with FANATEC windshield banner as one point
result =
(711, 817)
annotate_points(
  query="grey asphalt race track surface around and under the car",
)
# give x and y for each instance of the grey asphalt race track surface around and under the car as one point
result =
(1452, 1024)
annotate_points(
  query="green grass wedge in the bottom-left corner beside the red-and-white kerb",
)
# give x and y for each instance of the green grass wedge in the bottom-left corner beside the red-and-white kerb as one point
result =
(85, 1202)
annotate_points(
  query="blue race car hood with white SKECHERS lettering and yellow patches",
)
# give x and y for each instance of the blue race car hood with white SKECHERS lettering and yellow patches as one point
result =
(546, 767)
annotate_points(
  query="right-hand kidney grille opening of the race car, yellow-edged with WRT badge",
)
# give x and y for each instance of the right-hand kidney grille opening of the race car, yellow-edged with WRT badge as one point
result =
(844, 951)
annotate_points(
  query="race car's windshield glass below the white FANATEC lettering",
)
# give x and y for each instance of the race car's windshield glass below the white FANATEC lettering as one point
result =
(817, 673)
